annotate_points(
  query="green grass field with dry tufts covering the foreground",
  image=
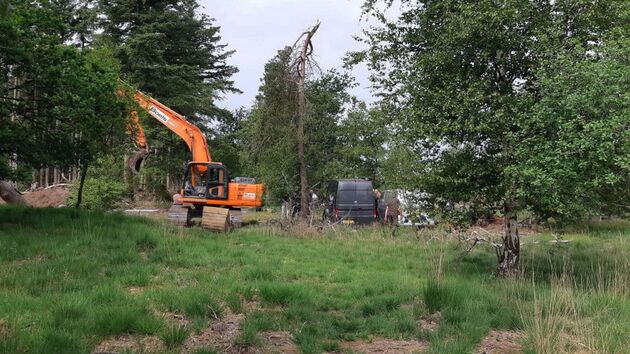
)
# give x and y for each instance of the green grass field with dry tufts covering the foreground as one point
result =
(71, 279)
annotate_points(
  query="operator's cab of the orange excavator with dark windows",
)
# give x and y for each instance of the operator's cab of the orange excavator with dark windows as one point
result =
(206, 180)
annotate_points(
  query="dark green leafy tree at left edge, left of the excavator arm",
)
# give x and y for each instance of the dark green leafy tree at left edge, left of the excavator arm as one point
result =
(59, 103)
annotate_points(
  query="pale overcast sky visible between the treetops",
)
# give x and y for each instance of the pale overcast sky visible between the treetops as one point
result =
(257, 29)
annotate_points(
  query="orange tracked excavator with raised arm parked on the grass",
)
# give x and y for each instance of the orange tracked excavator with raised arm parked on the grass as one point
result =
(207, 192)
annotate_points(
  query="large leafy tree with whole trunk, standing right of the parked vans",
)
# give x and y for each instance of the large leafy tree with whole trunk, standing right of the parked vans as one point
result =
(462, 79)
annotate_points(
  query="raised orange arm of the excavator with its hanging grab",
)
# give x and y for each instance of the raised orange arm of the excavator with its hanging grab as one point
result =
(175, 122)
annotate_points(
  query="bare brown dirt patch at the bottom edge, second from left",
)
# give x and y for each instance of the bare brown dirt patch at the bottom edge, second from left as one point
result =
(220, 336)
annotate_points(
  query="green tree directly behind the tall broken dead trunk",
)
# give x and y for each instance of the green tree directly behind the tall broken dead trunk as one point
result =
(269, 133)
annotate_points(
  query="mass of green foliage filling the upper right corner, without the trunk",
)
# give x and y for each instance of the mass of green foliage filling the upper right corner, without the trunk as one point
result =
(518, 102)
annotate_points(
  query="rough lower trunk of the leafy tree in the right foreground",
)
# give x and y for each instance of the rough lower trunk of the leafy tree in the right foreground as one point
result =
(511, 251)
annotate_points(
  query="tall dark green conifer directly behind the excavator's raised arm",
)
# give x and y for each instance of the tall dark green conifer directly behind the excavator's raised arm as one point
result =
(175, 54)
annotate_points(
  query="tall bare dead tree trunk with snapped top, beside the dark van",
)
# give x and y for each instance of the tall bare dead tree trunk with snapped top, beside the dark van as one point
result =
(302, 61)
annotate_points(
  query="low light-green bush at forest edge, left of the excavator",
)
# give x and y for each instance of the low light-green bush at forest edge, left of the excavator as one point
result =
(99, 193)
